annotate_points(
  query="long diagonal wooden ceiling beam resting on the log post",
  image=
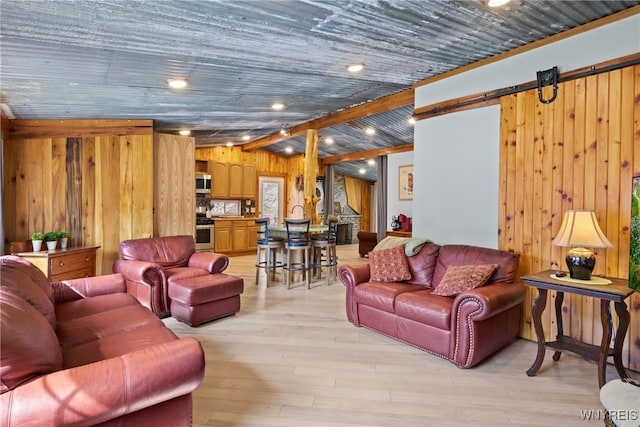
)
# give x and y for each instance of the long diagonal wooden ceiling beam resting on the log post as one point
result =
(381, 105)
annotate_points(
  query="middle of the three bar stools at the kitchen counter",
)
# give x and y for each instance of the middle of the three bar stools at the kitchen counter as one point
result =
(298, 241)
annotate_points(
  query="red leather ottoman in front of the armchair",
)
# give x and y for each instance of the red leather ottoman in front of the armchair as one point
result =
(196, 300)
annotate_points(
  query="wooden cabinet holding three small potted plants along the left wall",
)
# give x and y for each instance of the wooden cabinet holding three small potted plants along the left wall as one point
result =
(64, 264)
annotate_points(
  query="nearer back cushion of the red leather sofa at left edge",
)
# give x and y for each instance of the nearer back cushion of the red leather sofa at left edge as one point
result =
(29, 344)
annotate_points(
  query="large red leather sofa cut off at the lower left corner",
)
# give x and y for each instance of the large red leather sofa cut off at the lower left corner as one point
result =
(84, 352)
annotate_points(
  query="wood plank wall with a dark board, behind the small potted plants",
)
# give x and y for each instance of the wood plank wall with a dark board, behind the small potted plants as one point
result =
(99, 187)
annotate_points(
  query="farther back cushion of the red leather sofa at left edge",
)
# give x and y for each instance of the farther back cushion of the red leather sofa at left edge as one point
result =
(22, 277)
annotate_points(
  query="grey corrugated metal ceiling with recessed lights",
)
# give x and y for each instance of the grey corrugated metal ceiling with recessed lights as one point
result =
(111, 58)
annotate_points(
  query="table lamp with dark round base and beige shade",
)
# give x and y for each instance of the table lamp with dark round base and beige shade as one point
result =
(579, 230)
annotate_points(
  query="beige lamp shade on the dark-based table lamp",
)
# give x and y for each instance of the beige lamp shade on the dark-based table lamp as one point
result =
(581, 229)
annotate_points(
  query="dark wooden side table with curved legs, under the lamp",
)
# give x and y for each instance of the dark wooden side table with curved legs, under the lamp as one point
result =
(617, 291)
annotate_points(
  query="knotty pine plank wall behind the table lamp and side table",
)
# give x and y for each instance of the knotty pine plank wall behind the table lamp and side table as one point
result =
(579, 152)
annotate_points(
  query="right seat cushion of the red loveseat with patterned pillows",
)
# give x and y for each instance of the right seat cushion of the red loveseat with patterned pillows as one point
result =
(424, 307)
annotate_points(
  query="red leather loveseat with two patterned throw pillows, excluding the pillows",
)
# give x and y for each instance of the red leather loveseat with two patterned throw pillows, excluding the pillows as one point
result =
(464, 329)
